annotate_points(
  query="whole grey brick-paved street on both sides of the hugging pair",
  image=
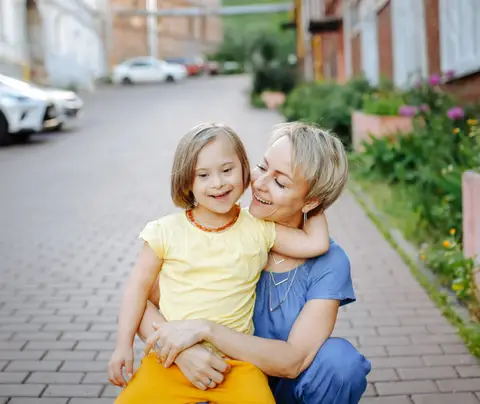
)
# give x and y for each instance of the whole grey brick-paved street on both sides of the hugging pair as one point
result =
(73, 204)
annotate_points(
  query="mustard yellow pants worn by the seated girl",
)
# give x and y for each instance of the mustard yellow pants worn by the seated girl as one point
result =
(153, 384)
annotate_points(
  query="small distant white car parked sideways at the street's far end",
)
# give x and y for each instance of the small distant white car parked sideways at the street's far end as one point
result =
(147, 70)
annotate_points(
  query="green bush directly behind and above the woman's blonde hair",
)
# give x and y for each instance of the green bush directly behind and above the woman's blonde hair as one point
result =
(328, 104)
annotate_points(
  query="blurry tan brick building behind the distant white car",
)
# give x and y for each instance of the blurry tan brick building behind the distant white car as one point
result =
(178, 36)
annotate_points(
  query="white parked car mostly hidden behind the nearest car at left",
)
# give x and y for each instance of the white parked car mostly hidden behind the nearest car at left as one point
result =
(65, 106)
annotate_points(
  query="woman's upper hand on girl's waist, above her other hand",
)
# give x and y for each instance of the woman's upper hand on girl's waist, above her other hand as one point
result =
(173, 337)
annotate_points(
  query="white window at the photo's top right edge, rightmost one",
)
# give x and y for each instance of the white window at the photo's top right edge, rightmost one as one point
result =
(459, 36)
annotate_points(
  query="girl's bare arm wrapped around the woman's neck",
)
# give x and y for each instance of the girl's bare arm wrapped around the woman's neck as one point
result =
(311, 241)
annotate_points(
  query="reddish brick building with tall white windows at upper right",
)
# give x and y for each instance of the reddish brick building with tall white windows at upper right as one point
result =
(399, 40)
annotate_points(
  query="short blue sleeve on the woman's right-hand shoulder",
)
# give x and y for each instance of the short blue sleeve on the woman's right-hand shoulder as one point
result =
(330, 278)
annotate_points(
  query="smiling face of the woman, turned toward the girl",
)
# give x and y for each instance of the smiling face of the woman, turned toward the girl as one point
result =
(278, 194)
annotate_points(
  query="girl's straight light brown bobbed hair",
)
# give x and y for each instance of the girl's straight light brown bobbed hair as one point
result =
(186, 156)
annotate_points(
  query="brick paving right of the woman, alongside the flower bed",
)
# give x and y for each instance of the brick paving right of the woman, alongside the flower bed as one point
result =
(416, 355)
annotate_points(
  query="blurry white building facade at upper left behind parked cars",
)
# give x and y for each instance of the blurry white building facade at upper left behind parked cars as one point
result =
(59, 42)
